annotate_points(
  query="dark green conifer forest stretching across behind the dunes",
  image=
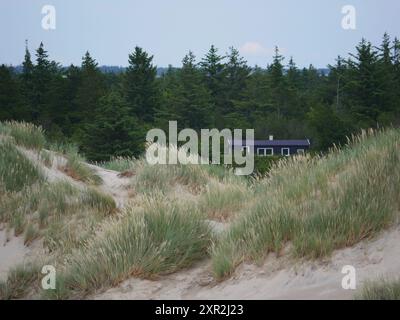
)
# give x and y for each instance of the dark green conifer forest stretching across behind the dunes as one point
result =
(109, 114)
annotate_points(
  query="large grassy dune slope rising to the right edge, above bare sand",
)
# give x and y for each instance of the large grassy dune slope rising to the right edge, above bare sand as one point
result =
(318, 204)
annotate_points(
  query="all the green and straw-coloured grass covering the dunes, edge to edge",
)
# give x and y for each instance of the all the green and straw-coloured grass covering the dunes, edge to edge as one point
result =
(314, 205)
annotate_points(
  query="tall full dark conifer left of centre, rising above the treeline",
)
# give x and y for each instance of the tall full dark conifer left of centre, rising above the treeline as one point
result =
(140, 87)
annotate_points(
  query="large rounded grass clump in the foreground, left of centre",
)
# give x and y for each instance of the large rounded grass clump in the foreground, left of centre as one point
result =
(159, 239)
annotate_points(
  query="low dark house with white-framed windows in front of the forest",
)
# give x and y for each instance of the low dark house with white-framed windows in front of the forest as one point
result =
(273, 147)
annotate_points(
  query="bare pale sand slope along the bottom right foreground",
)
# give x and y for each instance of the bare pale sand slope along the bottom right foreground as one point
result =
(277, 278)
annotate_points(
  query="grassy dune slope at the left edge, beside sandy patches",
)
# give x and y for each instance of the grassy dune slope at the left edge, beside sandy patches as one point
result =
(37, 208)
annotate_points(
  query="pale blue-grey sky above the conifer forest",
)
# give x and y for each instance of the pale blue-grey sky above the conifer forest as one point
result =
(310, 31)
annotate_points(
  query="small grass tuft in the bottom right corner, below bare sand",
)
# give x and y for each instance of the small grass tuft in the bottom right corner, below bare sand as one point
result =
(383, 289)
